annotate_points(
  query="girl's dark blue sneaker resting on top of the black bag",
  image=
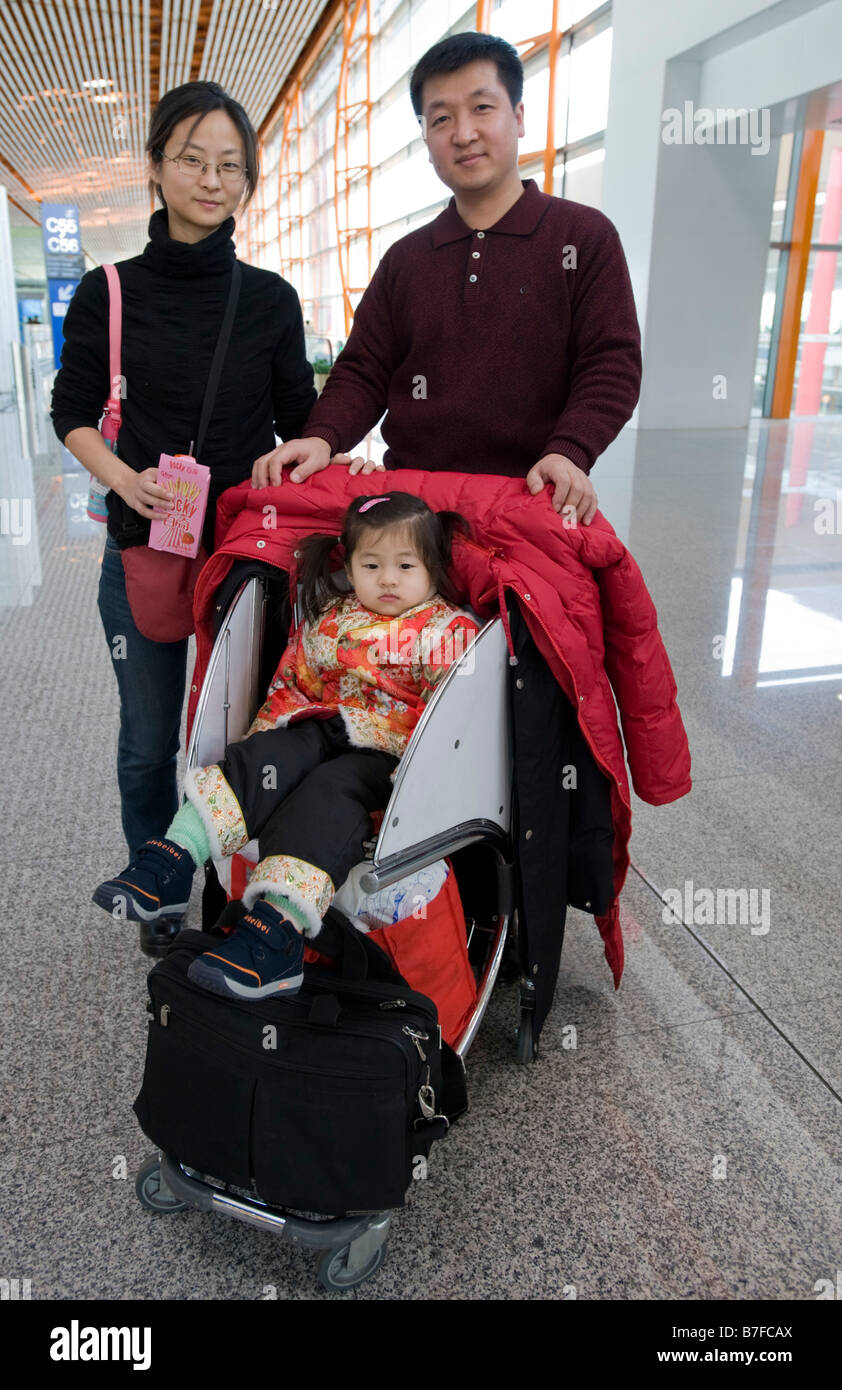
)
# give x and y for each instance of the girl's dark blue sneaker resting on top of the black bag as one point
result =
(263, 957)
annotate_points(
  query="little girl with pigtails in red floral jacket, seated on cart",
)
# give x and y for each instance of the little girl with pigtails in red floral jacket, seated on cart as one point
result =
(320, 755)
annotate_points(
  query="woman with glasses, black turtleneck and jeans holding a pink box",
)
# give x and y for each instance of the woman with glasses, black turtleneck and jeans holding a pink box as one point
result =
(204, 167)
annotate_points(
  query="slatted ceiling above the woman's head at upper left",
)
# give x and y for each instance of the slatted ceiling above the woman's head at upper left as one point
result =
(79, 80)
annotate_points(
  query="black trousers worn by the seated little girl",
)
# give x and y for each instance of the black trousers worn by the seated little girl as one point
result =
(306, 792)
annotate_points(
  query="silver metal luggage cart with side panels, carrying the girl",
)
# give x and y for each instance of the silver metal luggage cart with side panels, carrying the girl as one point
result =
(466, 726)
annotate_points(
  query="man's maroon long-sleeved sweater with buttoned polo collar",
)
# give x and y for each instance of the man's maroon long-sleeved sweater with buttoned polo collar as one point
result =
(491, 350)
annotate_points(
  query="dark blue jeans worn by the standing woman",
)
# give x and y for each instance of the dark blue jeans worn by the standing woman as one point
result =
(152, 679)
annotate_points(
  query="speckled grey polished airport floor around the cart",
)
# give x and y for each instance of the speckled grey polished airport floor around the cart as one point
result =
(688, 1146)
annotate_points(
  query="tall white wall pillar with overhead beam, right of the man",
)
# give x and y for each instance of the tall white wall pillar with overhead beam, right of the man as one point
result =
(695, 219)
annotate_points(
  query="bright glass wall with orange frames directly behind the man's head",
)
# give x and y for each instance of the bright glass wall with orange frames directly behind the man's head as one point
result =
(338, 188)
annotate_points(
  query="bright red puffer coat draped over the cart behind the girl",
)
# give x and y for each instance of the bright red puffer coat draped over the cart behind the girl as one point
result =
(579, 589)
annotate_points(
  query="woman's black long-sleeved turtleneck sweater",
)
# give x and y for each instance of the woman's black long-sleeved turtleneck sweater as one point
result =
(173, 304)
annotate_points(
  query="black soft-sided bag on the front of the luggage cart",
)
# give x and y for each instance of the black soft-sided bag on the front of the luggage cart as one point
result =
(324, 1102)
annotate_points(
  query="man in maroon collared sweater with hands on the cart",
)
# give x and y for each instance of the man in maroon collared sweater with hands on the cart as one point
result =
(500, 338)
